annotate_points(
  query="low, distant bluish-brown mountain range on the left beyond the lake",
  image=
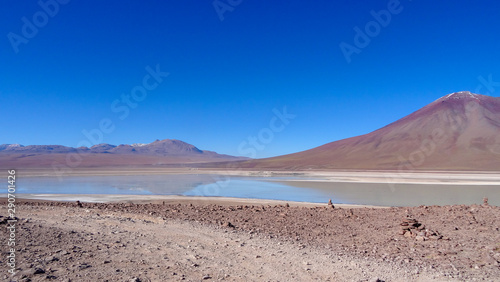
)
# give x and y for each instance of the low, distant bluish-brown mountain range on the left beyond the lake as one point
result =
(159, 152)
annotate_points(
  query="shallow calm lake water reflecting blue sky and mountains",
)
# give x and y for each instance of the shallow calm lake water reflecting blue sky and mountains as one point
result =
(274, 188)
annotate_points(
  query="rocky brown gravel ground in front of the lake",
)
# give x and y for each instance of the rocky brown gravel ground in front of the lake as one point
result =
(203, 242)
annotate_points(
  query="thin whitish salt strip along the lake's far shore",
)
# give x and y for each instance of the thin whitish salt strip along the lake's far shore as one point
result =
(413, 177)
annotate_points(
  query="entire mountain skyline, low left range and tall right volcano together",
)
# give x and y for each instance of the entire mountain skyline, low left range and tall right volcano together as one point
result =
(460, 131)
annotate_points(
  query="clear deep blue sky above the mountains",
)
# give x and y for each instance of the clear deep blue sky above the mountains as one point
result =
(226, 77)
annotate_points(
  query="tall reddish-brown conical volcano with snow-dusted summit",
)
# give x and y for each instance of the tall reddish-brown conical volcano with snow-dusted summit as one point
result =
(460, 131)
